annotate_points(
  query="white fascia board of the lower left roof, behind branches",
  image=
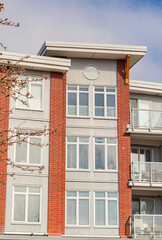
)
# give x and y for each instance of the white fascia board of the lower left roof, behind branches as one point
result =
(36, 62)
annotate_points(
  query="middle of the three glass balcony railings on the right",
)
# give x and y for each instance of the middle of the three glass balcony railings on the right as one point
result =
(146, 171)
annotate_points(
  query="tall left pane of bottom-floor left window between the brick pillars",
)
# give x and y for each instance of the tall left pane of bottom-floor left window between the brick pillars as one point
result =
(71, 211)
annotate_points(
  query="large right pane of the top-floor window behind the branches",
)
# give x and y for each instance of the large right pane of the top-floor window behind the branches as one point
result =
(36, 92)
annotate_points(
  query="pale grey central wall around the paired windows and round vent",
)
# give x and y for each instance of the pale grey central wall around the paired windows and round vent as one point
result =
(91, 127)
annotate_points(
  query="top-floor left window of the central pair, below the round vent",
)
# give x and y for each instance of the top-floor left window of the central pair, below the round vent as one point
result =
(78, 100)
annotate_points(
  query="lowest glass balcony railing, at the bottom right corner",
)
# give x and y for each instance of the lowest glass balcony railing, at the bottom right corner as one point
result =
(145, 225)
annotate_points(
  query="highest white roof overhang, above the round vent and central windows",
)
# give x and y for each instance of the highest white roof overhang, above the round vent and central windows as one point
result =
(92, 51)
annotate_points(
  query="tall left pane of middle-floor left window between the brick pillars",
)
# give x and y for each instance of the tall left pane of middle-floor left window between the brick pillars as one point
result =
(71, 156)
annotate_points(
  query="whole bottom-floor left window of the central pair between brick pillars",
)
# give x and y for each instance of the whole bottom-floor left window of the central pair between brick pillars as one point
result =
(77, 208)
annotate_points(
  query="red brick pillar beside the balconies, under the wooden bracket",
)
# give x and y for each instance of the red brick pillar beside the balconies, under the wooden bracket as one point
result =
(124, 152)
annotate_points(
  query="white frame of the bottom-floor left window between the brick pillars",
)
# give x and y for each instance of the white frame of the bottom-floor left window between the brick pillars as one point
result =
(77, 198)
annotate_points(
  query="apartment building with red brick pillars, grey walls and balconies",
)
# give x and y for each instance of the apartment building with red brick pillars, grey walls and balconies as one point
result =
(102, 175)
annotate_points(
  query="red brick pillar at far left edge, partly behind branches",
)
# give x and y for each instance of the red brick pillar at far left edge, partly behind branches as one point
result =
(4, 124)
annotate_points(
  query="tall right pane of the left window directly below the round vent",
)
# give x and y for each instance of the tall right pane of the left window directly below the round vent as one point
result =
(83, 104)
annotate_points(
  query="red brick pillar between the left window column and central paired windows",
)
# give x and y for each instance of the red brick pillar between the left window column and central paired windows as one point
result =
(56, 194)
